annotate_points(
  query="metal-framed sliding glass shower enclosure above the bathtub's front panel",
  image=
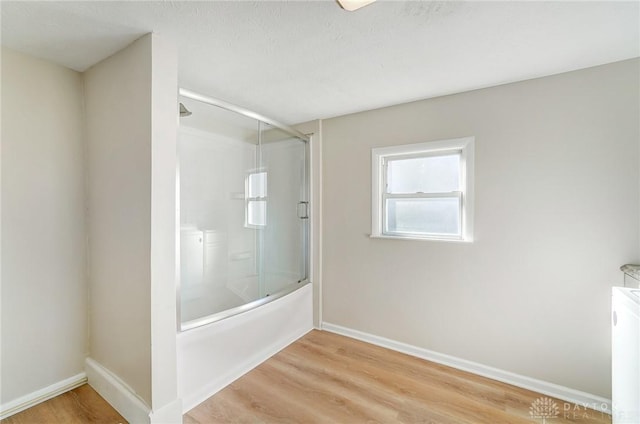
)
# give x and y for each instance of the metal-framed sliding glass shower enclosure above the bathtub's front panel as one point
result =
(243, 207)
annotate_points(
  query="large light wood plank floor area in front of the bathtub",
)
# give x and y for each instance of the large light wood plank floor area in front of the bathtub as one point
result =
(326, 378)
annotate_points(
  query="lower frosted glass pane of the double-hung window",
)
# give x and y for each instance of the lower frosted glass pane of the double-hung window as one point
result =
(424, 216)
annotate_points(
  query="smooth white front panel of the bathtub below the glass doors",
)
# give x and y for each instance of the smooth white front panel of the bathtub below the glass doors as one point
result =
(212, 356)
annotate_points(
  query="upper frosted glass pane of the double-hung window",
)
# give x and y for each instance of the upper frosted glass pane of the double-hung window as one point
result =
(431, 174)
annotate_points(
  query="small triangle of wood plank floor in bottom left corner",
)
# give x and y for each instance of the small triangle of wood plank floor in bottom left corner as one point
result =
(78, 406)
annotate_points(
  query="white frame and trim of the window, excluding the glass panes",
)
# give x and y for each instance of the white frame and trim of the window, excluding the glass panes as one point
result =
(379, 159)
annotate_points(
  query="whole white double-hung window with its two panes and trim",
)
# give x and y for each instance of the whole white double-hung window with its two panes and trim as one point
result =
(423, 191)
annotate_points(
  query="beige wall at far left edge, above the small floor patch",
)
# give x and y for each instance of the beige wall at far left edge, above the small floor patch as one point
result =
(44, 325)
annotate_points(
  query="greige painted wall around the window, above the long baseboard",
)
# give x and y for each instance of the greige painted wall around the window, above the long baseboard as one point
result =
(557, 206)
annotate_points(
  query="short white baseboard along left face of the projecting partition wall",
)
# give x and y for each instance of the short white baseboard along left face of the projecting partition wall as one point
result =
(115, 391)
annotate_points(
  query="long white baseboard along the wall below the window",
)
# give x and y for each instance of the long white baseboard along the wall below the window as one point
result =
(577, 397)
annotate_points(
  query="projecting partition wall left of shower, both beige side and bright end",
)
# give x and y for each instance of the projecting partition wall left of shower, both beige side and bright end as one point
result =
(131, 110)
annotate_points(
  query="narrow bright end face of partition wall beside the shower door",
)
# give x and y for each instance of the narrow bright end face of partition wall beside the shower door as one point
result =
(164, 136)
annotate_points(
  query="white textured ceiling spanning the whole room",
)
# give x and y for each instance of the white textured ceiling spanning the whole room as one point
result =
(301, 60)
